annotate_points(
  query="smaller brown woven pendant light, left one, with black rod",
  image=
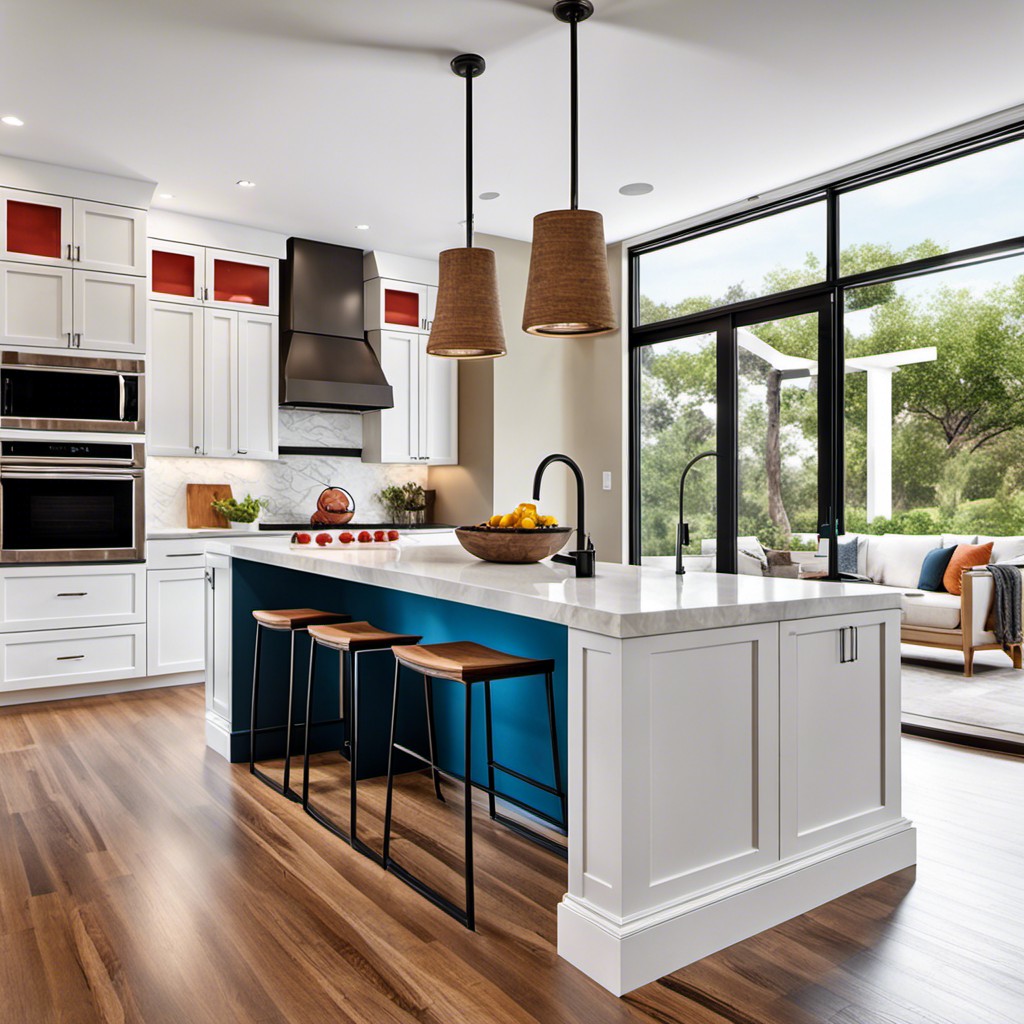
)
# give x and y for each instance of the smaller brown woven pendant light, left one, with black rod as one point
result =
(468, 316)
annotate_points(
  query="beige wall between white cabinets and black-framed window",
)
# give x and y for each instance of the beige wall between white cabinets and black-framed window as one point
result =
(544, 397)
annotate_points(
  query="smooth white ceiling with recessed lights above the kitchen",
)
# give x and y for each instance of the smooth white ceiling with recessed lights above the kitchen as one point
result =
(345, 112)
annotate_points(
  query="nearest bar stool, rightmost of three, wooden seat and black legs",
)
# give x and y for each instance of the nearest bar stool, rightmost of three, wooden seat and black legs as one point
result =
(468, 664)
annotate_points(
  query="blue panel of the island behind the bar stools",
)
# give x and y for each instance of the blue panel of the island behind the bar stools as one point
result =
(520, 708)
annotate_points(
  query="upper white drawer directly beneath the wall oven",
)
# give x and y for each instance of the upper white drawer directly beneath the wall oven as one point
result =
(48, 599)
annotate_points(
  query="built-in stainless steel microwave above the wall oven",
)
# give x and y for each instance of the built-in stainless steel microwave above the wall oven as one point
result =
(46, 392)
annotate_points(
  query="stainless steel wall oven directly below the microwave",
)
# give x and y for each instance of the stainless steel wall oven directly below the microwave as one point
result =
(72, 502)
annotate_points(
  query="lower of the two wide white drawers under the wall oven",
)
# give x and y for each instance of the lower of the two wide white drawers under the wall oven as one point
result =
(62, 658)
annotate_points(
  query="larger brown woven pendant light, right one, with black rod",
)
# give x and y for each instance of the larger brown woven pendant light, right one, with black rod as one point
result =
(568, 293)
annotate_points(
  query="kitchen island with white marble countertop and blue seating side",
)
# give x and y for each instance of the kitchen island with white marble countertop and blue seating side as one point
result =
(733, 742)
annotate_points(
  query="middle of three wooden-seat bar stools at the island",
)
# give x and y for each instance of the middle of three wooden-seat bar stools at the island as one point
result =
(352, 641)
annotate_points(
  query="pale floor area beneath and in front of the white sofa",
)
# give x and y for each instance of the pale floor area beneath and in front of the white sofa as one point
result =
(935, 688)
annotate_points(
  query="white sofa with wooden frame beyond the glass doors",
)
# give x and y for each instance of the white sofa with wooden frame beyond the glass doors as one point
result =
(940, 620)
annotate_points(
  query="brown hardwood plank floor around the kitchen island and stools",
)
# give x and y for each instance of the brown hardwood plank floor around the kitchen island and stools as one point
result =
(146, 880)
